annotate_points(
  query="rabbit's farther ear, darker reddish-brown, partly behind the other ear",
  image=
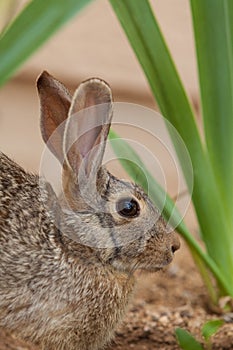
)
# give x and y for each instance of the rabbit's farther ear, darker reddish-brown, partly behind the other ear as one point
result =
(55, 101)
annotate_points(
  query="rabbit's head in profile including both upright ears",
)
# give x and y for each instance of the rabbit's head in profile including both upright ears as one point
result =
(115, 217)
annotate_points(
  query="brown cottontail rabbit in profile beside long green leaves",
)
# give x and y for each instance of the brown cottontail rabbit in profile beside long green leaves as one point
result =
(55, 291)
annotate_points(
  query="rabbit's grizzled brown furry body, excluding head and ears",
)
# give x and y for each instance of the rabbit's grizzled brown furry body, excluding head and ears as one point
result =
(52, 290)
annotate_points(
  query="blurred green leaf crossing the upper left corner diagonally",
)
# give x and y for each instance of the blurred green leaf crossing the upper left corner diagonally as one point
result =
(33, 26)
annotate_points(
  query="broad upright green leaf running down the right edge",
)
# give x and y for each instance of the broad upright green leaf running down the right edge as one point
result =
(213, 28)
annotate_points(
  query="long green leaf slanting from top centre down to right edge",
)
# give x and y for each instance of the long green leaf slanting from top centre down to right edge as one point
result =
(147, 41)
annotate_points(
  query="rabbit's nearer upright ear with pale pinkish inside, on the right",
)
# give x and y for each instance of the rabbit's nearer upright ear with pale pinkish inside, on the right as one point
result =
(88, 126)
